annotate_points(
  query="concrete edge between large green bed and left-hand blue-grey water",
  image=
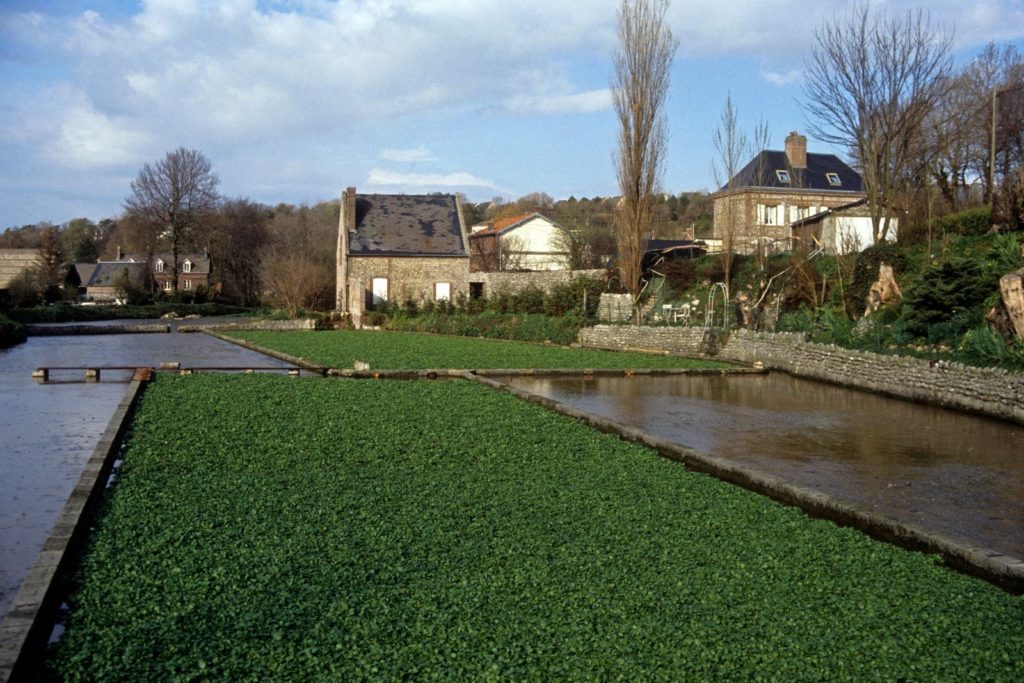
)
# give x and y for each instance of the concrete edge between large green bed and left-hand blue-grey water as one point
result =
(26, 628)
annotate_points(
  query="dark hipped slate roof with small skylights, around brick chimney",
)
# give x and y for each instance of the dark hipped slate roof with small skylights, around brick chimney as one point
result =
(815, 178)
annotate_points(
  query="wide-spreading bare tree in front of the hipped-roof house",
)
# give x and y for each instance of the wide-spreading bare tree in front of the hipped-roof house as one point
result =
(872, 81)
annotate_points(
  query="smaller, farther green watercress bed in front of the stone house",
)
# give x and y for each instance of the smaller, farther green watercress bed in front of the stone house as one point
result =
(396, 351)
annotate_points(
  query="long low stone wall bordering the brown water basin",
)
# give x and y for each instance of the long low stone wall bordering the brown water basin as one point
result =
(989, 392)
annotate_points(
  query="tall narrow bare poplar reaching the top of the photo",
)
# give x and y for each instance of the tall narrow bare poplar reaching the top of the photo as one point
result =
(647, 49)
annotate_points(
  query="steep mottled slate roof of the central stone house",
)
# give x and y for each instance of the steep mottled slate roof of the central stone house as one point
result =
(407, 226)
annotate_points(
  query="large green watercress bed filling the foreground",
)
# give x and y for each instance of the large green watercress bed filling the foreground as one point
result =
(267, 528)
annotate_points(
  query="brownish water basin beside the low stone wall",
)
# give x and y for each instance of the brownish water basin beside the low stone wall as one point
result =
(959, 476)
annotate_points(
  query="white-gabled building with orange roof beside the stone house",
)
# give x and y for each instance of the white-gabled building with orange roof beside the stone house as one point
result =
(528, 242)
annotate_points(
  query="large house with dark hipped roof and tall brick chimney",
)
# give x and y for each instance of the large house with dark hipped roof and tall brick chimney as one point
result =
(779, 189)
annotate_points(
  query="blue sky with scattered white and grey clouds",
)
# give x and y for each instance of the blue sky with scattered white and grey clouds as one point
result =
(294, 100)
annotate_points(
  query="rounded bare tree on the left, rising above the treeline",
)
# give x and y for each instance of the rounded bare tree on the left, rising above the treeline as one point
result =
(176, 197)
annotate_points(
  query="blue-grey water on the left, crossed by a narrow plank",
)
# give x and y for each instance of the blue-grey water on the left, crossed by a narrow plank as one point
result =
(49, 432)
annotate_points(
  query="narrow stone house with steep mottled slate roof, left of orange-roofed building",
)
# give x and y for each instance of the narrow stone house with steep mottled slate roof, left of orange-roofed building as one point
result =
(400, 247)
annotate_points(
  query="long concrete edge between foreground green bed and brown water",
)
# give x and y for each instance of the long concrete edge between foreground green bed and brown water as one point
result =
(1003, 571)
